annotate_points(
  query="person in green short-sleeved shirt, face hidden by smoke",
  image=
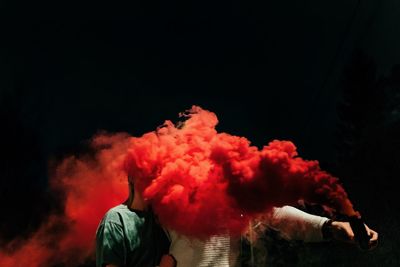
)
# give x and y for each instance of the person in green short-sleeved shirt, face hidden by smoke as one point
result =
(129, 235)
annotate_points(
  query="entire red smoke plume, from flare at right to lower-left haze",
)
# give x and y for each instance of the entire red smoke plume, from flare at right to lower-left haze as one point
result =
(198, 181)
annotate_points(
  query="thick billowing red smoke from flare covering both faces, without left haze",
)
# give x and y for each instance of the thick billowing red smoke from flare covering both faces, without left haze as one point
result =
(201, 182)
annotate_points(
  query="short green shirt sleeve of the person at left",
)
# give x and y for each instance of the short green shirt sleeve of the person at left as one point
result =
(110, 245)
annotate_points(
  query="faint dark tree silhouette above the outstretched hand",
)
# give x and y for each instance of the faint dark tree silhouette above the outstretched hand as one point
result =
(361, 118)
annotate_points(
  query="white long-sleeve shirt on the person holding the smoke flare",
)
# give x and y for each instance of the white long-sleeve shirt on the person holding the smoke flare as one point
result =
(222, 251)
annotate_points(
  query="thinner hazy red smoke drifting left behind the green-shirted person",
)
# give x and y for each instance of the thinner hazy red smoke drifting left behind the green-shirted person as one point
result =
(91, 186)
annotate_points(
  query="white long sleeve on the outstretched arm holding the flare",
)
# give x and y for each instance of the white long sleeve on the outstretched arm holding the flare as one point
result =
(294, 224)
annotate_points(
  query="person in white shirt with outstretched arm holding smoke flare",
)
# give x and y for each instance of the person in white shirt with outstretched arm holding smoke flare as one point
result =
(291, 223)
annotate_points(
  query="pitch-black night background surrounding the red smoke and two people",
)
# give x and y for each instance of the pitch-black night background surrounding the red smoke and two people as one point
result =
(322, 74)
